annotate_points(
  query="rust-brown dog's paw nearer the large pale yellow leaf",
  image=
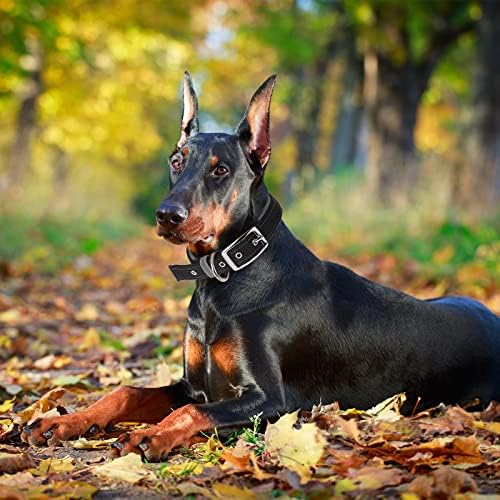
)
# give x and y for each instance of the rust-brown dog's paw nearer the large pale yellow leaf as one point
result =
(153, 444)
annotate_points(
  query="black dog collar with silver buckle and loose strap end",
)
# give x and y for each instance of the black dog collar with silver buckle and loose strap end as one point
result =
(238, 255)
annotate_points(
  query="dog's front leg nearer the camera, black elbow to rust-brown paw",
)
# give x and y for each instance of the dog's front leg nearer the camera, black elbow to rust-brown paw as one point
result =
(182, 424)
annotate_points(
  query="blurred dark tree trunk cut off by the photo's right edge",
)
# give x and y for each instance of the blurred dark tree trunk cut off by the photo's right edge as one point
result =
(481, 188)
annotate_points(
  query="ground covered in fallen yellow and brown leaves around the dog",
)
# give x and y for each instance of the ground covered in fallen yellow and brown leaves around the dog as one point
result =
(117, 317)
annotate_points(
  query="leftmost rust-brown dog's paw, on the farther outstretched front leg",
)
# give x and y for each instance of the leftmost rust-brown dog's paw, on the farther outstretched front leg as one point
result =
(51, 431)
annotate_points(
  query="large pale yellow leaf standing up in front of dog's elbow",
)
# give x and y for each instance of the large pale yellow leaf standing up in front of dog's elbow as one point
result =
(297, 449)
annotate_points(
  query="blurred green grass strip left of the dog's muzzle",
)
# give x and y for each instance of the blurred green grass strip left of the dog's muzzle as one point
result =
(49, 243)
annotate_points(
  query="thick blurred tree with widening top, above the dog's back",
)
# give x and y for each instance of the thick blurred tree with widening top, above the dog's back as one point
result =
(402, 43)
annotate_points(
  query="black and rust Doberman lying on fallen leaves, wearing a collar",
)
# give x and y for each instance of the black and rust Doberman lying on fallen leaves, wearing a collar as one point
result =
(271, 328)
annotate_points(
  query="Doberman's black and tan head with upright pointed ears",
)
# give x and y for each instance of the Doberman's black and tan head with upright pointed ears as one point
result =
(214, 175)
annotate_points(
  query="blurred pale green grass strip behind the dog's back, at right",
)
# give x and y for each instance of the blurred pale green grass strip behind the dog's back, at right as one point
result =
(336, 215)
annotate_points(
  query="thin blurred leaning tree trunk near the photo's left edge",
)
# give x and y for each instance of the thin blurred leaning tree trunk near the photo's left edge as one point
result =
(20, 156)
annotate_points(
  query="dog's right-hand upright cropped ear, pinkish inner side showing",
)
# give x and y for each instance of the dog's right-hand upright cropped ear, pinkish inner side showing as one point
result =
(253, 129)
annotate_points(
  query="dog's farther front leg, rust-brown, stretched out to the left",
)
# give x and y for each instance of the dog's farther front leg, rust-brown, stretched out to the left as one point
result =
(126, 404)
